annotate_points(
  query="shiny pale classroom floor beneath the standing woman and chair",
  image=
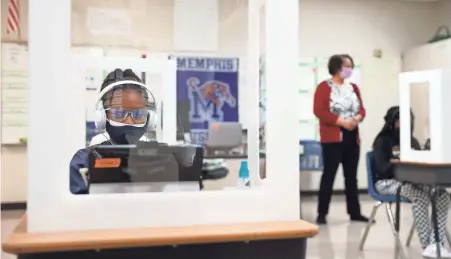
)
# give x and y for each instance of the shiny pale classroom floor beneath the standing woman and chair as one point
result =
(338, 240)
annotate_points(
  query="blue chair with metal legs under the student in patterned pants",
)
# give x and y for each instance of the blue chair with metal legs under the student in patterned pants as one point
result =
(387, 200)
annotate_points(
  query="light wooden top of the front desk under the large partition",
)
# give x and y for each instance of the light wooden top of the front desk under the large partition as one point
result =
(21, 242)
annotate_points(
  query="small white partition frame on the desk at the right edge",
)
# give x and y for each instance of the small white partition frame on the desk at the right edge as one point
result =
(439, 110)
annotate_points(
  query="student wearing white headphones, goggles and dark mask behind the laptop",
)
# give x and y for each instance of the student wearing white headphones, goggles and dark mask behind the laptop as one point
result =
(125, 113)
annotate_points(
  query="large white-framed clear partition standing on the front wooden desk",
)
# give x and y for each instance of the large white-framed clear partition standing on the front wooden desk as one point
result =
(128, 146)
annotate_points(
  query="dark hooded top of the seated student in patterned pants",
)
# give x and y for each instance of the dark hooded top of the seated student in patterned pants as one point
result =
(383, 145)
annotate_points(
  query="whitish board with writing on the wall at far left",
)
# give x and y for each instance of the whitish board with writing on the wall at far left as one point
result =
(14, 93)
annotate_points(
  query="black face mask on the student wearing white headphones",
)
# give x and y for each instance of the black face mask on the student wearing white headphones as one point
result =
(125, 135)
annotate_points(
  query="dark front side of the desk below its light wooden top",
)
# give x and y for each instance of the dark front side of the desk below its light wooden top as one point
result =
(264, 249)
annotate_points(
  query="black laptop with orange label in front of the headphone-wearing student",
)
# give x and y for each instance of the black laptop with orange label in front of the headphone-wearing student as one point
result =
(146, 167)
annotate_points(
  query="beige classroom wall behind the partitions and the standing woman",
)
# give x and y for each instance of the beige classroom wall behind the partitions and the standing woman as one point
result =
(357, 27)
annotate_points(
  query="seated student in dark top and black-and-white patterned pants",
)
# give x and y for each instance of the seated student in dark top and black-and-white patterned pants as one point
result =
(386, 147)
